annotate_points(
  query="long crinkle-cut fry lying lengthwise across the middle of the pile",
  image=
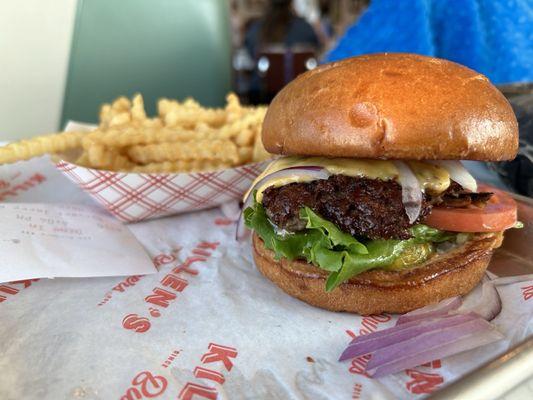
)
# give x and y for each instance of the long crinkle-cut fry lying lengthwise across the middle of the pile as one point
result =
(133, 135)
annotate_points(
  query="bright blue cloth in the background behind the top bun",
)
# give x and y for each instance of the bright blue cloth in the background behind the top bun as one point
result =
(494, 37)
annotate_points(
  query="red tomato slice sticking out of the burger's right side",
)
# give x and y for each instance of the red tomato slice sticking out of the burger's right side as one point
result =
(499, 214)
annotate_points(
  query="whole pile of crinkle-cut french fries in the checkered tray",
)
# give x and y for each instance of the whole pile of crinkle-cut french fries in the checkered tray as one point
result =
(183, 137)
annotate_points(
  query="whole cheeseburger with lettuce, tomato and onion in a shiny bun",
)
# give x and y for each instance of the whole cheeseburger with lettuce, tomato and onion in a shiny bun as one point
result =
(368, 208)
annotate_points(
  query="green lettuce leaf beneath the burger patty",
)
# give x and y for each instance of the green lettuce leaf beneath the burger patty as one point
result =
(327, 247)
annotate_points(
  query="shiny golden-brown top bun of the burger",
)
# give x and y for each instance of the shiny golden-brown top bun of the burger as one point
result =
(394, 106)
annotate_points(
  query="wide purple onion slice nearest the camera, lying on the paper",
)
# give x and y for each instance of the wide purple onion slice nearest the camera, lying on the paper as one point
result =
(434, 344)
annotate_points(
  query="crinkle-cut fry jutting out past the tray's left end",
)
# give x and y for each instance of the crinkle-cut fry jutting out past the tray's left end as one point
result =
(40, 145)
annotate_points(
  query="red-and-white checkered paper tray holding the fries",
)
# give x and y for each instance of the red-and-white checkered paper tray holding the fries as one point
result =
(133, 197)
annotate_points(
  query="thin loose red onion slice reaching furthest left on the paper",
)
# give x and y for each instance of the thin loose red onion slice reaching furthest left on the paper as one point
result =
(378, 340)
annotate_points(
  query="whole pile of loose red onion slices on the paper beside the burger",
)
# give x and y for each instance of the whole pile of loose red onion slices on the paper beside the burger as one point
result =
(429, 333)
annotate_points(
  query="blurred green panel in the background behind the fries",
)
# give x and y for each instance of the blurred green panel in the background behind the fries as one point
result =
(160, 48)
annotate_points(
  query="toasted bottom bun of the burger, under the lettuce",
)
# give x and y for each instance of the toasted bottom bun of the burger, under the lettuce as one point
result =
(450, 274)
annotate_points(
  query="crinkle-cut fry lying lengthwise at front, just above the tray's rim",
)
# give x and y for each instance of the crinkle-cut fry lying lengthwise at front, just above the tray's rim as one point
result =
(220, 150)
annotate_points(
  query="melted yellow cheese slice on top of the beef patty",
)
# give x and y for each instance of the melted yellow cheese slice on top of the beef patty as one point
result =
(432, 178)
